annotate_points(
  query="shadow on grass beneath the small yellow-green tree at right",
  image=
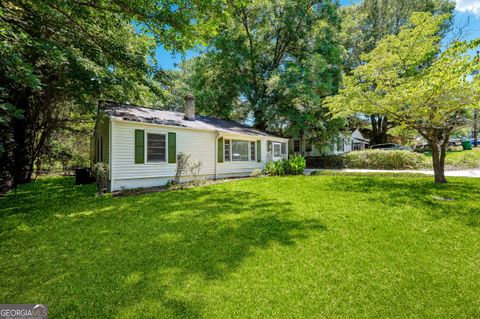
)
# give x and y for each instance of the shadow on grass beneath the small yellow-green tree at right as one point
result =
(455, 199)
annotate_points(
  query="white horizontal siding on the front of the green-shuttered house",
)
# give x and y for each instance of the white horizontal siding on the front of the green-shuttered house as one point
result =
(200, 145)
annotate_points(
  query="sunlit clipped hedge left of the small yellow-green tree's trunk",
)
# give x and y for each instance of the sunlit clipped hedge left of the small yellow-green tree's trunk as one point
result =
(379, 159)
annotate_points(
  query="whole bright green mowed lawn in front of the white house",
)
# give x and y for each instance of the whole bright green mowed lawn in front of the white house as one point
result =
(295, 247)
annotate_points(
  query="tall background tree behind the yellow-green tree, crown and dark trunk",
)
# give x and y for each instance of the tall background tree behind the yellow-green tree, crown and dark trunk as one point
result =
(366, 23)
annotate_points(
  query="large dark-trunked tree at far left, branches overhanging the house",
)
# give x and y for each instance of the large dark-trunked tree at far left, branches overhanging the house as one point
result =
(61, 56)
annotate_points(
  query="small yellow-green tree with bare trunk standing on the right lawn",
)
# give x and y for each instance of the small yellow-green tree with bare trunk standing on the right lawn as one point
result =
(407, 78)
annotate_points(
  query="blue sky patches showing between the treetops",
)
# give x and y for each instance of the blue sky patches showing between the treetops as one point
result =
(467, 18)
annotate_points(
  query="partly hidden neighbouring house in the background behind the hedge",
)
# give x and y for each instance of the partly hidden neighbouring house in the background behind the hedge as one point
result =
(343, 143)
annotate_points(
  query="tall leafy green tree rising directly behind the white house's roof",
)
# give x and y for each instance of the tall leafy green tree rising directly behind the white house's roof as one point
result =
(276, 61)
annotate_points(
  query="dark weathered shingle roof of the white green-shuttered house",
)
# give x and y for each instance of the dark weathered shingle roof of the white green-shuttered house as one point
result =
(155, 116)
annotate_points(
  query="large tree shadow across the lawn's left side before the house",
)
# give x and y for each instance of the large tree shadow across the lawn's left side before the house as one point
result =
(135, 256)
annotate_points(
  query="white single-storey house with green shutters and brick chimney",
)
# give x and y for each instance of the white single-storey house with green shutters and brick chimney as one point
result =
(141, 145)
